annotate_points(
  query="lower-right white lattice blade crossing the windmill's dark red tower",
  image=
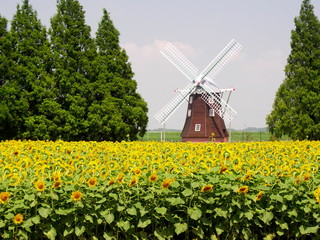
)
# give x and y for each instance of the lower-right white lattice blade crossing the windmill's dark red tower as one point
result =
(222, 108)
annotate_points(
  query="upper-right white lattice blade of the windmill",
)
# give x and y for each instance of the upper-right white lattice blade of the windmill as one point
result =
(221, 60)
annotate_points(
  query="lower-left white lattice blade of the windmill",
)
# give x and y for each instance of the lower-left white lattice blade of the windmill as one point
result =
(163, 115)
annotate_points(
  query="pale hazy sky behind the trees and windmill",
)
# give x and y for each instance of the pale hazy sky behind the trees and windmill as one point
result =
(200, 29)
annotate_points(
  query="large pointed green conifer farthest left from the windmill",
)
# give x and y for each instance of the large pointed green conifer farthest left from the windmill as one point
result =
(26, 84)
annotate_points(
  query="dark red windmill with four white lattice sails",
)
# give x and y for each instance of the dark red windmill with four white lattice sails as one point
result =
(207, 113)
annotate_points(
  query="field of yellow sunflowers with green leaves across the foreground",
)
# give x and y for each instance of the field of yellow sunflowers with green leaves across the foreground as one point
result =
(158, 190)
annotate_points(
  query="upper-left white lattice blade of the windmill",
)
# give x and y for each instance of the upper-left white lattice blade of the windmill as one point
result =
(180, 61)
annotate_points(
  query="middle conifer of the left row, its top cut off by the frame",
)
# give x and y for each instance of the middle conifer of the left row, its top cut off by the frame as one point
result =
(74, 54)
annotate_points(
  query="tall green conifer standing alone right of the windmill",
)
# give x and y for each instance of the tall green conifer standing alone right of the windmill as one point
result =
(296, 108)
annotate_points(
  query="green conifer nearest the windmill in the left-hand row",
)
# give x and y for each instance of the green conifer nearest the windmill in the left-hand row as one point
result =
(130, 119)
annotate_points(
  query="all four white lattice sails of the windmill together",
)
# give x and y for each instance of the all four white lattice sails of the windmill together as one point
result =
(210, 96)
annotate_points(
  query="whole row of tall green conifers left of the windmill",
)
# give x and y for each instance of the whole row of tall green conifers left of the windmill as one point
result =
(73, 87)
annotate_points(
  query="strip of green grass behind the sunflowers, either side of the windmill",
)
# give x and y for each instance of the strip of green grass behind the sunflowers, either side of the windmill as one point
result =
(237, 136)
